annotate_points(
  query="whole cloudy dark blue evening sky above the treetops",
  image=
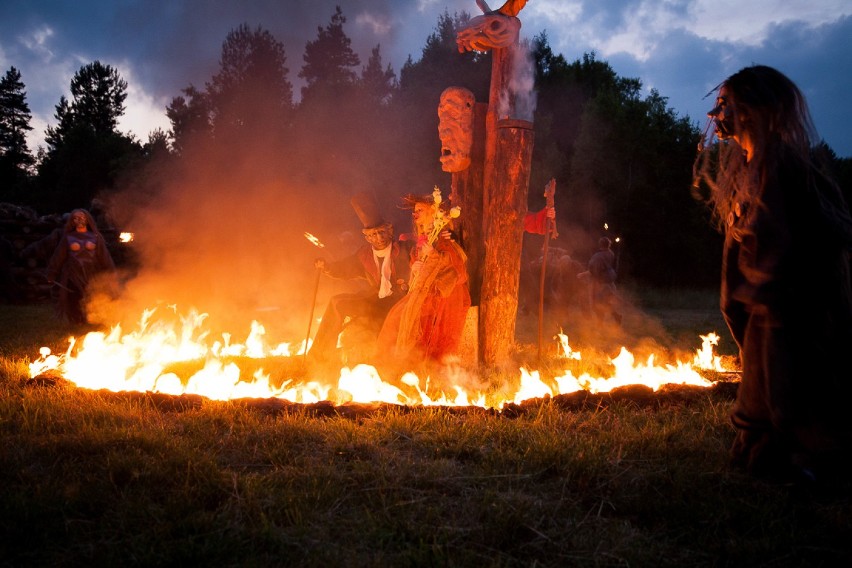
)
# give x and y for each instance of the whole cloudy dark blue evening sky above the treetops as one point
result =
(682, 48)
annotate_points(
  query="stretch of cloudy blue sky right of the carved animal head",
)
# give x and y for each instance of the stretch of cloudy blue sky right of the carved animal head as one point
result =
(683, 49)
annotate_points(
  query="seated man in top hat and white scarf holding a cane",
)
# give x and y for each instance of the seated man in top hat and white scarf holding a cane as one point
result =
(379, 263)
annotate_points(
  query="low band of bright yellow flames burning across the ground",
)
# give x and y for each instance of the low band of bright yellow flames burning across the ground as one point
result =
(146, 359)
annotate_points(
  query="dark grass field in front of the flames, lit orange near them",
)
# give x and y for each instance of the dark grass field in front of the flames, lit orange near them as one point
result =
(97, 478)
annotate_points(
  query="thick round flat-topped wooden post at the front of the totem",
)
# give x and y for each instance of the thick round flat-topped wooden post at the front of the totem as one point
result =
(505, 208)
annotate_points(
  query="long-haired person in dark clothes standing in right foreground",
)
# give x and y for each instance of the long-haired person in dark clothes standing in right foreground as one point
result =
(785, 290)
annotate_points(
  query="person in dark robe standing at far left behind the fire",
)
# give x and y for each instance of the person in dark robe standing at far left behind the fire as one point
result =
(81, 254)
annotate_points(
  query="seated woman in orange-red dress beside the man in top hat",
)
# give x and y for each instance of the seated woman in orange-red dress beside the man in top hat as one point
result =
(427, 324)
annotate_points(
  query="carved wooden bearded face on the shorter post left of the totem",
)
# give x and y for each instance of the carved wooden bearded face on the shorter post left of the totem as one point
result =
(455, 128)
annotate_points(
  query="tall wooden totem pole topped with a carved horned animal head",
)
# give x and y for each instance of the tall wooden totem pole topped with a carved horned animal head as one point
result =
(492, 190)
